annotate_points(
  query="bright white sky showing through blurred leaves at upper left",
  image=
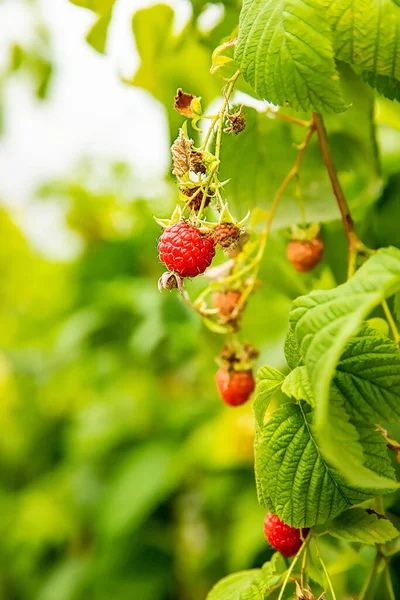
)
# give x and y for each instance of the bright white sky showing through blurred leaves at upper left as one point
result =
(89, 112)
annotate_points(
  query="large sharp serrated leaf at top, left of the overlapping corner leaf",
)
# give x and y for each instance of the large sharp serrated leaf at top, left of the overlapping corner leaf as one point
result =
(285, 52)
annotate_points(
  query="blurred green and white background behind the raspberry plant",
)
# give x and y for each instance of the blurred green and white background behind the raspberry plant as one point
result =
(122, 475)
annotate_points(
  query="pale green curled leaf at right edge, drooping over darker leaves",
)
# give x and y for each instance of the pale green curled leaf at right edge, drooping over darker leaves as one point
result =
(324, 322)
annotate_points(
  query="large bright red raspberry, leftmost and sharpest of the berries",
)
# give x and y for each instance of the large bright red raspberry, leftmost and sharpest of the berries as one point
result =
(184, 250)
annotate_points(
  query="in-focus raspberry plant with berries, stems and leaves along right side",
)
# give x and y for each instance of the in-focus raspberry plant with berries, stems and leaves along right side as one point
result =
(320, 457)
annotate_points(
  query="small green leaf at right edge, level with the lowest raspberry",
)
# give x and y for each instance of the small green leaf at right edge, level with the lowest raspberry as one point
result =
(357, 525)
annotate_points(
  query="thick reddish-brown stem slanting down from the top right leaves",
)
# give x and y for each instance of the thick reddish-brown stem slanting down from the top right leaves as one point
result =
(355, 245)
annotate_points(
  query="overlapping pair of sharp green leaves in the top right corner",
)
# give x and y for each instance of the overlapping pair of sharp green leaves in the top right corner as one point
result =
(307, 37)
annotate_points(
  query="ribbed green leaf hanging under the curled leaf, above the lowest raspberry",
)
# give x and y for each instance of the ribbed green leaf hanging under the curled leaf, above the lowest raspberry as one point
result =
(293, 478)
